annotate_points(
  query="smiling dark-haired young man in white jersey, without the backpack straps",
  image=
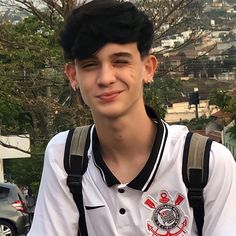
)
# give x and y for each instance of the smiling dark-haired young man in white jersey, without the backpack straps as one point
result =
(133, 184)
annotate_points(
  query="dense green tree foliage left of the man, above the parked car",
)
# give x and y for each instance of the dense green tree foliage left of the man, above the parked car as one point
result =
(29, 93)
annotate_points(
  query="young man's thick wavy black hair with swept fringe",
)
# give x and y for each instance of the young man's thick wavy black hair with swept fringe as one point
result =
(99, 22)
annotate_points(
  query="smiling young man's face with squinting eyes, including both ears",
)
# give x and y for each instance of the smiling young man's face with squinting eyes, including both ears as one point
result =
(111, 81)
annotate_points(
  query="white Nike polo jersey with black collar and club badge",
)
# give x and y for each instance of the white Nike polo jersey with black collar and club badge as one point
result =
(154, 203)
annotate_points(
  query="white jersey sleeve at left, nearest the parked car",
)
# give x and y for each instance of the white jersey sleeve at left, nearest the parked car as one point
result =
(55, 212)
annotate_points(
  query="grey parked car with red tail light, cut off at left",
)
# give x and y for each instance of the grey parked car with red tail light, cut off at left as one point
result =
(14, 218)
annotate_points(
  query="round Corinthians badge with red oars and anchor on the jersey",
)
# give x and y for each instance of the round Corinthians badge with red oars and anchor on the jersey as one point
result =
(167, 217)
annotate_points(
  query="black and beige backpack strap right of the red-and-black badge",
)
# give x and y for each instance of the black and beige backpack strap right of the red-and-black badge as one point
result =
(195, 173)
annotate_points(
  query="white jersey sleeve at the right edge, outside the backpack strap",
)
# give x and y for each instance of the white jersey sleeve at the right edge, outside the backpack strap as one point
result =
(220, 193)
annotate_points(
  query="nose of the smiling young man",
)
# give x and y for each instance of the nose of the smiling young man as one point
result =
(106, 75)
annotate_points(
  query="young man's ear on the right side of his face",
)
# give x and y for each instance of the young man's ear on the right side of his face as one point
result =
(151, 65)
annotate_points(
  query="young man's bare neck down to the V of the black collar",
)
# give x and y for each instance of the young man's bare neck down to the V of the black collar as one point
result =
(126, 142)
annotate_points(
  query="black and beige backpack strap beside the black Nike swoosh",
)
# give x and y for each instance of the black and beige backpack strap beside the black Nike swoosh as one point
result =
(75, 164)
